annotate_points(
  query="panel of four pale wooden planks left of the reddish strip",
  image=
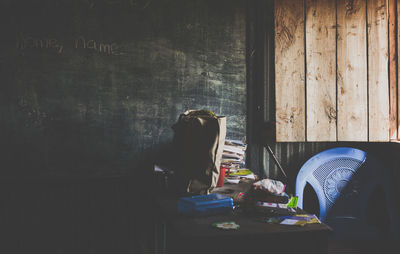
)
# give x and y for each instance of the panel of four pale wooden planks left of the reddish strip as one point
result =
(345, 65)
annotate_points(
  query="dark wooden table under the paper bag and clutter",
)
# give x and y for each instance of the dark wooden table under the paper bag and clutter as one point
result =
(188, 234)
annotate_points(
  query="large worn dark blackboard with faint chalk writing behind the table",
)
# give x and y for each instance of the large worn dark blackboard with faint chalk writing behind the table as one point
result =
(86, 86)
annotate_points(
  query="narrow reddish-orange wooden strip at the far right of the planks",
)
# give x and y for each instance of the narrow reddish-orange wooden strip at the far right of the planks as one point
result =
(392, 69)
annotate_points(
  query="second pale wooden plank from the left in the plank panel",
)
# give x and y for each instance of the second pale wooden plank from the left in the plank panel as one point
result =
(321, 70)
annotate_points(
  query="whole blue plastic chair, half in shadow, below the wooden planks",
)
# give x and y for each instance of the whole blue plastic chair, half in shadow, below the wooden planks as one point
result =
(348, 183)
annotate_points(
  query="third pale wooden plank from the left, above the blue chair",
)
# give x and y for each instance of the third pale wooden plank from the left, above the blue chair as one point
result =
(352, 71)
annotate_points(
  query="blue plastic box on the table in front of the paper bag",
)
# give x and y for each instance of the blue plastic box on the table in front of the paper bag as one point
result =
(205, 204)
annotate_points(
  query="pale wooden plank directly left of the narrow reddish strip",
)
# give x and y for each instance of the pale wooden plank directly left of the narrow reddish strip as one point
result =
(378, 74)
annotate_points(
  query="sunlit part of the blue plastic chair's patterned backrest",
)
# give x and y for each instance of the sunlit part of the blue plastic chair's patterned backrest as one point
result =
(328, 173)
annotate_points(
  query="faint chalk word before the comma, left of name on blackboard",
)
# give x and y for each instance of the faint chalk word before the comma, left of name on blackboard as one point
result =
(29, 42)
